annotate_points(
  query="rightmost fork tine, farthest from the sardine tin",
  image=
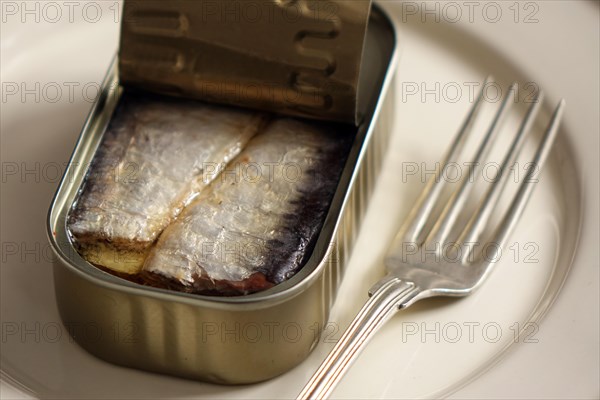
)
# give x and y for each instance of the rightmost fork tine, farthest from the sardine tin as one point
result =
(524, 192)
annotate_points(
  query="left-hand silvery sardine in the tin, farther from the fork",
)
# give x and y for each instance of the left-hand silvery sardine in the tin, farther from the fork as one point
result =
(156, 156)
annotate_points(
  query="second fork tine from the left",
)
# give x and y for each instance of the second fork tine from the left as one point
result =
(440, 231)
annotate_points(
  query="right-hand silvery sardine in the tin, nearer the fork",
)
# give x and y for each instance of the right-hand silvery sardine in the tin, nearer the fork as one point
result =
(256, 224)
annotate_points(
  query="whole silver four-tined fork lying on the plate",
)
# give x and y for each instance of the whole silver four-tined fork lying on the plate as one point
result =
(410, 277)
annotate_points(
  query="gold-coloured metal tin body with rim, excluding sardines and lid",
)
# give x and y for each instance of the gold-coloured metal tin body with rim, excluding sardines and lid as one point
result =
(229, 340)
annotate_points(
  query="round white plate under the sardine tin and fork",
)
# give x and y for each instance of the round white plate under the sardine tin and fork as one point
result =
(559, 52)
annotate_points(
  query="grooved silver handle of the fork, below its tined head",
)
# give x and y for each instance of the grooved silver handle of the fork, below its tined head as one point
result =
(387, 297)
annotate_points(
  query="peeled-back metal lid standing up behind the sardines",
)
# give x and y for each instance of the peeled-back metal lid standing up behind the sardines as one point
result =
(295, 57)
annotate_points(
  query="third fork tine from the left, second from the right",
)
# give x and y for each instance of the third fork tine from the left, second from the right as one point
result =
(480, 218)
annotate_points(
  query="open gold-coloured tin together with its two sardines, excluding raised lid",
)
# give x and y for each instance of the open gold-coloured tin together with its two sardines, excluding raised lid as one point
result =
(181, 264)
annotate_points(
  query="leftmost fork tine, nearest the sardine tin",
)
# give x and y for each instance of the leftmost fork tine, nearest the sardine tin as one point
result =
(411, 230)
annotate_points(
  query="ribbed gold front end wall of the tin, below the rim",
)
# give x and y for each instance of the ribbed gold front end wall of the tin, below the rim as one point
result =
(198, 342)
